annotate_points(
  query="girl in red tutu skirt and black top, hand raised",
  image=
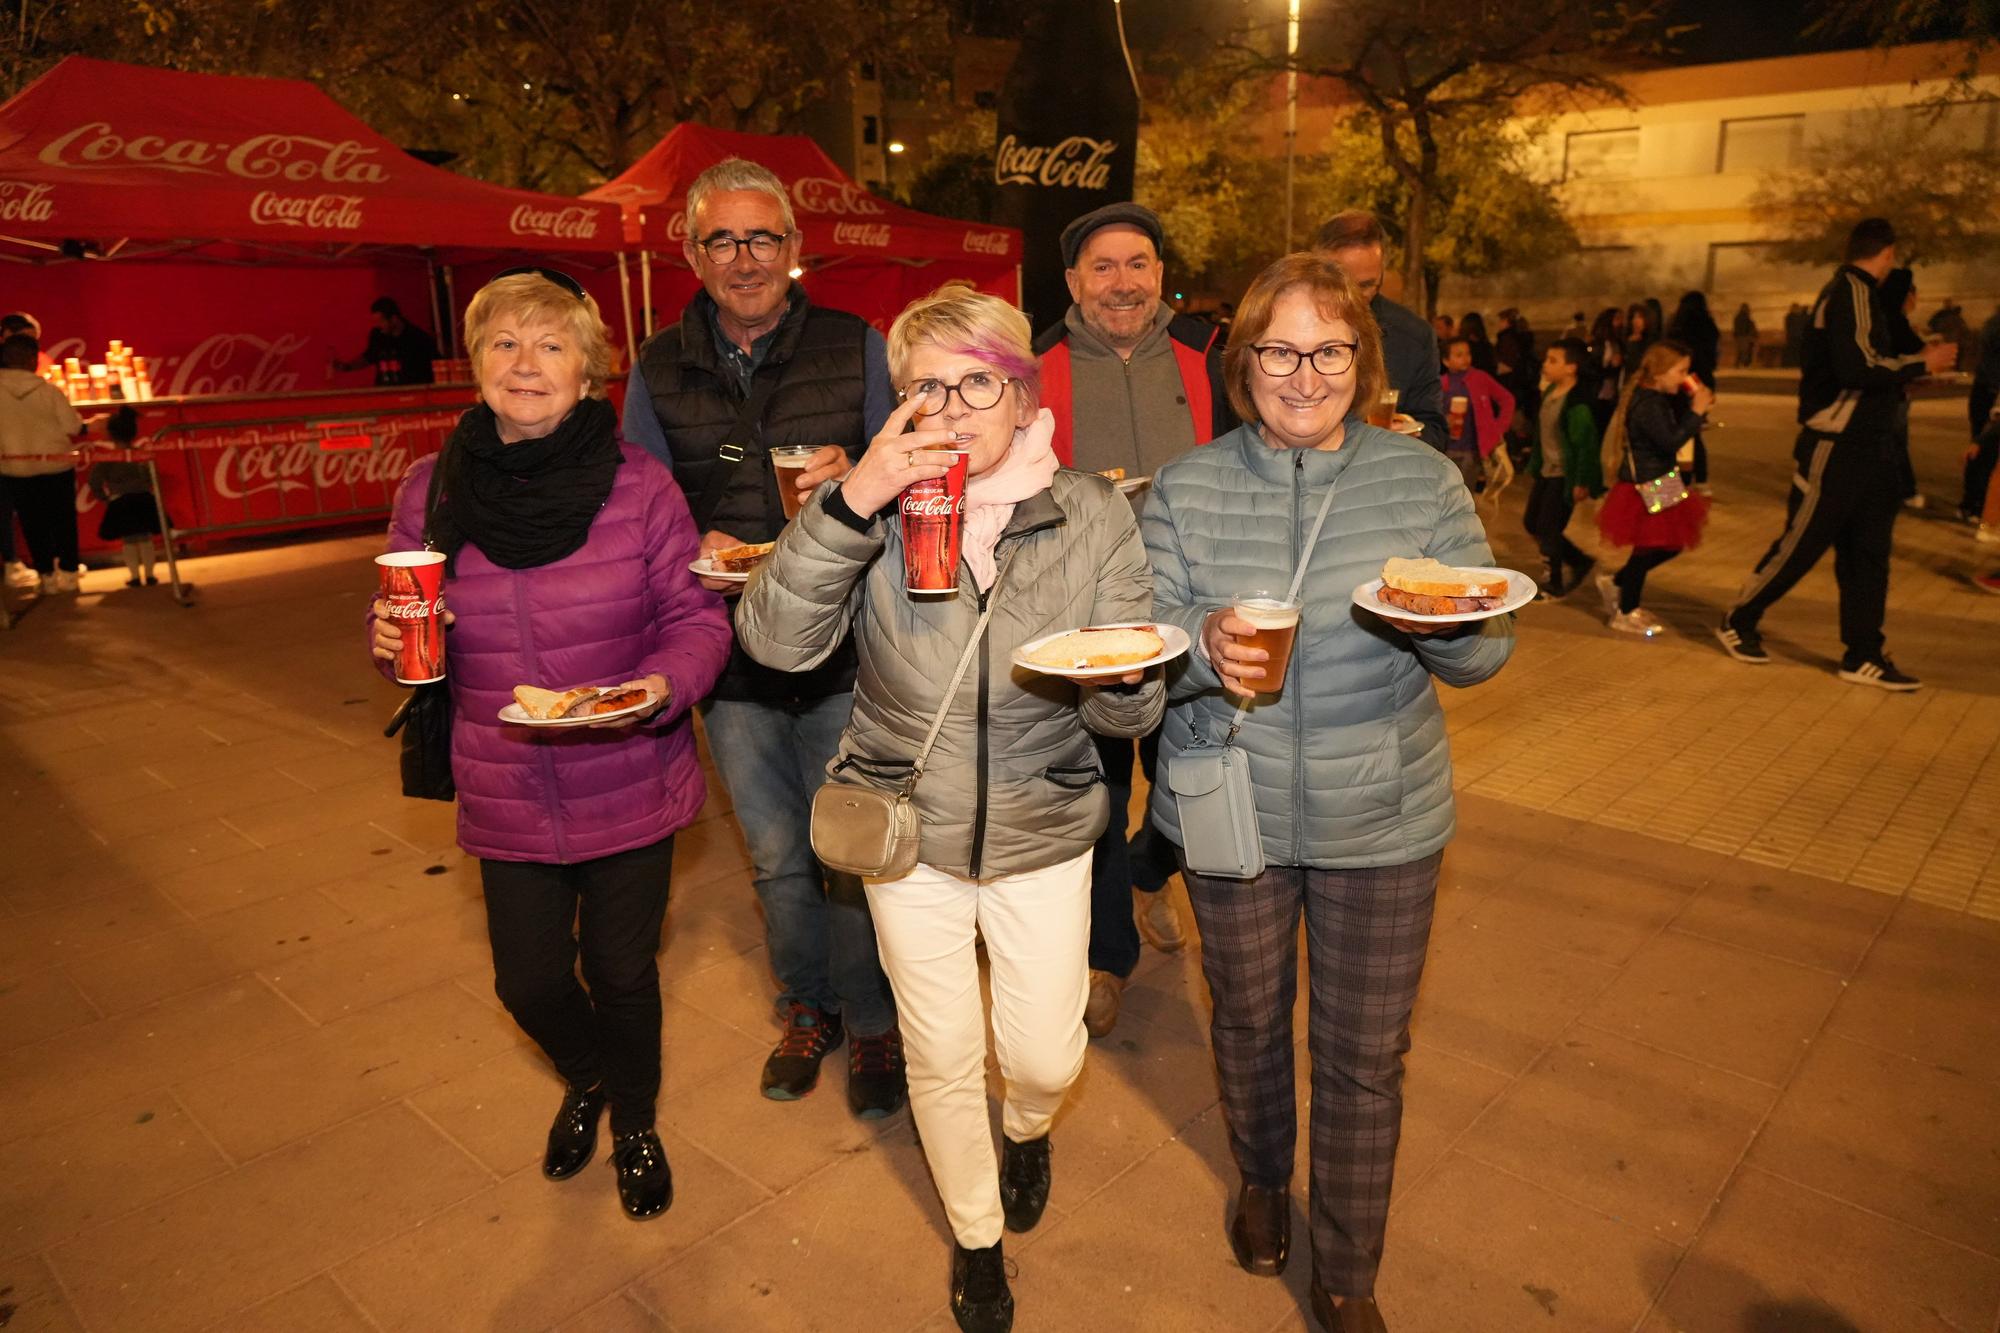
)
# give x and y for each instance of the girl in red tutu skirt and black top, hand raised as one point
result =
(1659, 413)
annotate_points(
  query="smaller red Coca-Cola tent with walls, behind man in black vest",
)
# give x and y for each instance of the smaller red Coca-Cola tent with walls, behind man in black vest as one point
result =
(861, 253)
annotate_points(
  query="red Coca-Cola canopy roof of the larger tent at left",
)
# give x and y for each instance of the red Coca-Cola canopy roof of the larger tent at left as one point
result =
(121, 153)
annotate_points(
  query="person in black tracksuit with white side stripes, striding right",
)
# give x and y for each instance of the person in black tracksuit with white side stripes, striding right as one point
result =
(1847, 489)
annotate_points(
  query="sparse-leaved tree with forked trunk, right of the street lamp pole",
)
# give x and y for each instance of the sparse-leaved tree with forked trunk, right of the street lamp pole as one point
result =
(1419, 67)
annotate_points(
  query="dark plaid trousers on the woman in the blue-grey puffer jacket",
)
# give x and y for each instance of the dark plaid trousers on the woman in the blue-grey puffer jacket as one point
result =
(1367, 934)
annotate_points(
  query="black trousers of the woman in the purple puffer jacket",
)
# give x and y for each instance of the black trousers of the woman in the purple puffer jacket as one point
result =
(611, 910)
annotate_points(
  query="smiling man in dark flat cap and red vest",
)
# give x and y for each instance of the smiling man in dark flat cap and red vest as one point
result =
(1131, 387)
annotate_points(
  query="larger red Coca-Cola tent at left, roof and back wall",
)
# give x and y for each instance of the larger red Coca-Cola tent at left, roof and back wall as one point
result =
(249, 225)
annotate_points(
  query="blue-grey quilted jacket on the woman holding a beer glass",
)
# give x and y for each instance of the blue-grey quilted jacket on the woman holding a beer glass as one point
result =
(1351, 764)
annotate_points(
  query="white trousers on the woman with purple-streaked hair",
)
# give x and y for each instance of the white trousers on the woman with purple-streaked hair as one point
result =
(1037, 930)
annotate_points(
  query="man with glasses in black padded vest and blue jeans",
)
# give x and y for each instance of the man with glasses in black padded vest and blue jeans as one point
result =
(749, 367)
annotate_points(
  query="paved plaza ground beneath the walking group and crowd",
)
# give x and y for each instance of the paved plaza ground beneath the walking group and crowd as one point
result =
(1707, 1042)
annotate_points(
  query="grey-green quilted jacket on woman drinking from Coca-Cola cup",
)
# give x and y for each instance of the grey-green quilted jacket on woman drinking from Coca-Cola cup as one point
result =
(1013, 784)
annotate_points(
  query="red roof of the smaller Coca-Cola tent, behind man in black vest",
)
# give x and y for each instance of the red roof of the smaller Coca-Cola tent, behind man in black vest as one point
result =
(839, 217)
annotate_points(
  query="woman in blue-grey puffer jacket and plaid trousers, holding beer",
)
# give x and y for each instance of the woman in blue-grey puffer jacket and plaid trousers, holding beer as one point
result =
(1349, 758)
